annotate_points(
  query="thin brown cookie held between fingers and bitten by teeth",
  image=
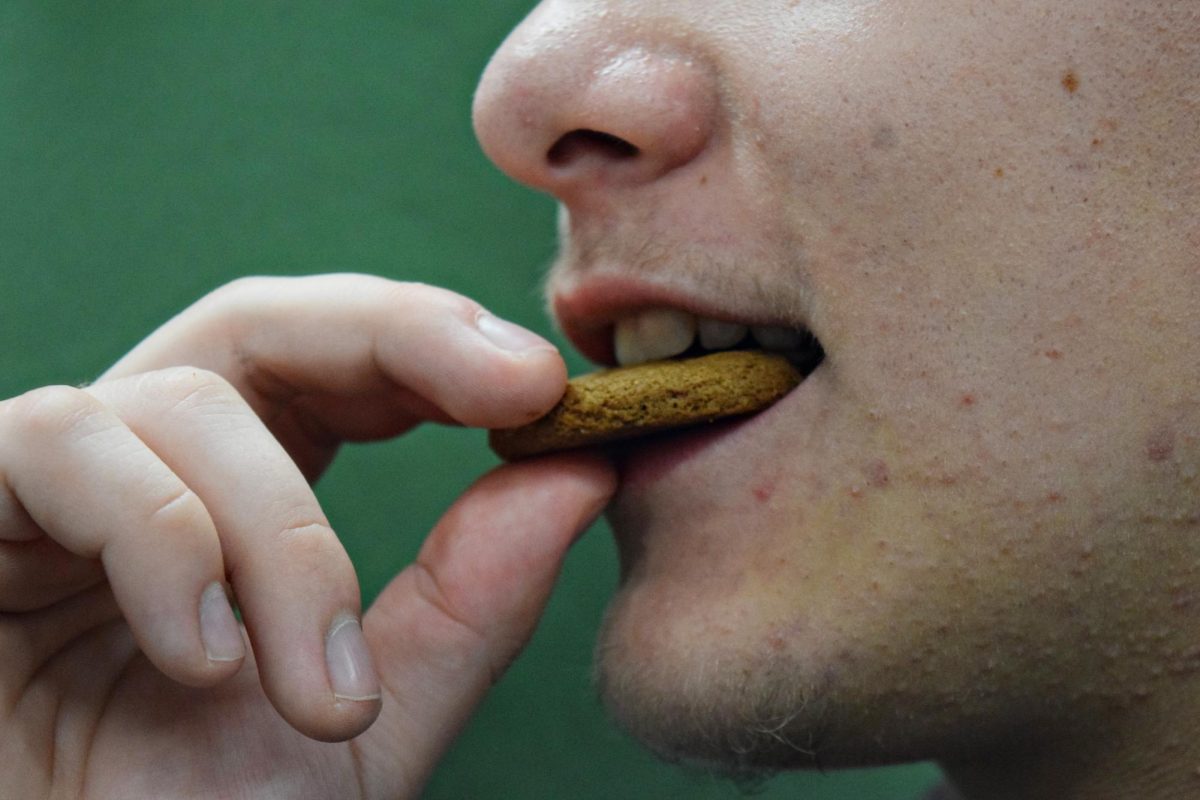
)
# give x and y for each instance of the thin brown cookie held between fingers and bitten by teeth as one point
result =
(629, 402)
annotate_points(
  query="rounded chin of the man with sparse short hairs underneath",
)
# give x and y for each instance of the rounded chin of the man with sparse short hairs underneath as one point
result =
(709, 676)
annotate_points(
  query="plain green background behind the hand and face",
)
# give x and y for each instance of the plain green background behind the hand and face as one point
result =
(152, 152)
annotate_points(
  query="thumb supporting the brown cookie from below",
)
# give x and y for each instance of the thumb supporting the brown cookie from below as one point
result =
(449, 625)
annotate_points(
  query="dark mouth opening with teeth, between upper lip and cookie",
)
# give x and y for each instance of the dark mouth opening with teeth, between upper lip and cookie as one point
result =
(658, 334)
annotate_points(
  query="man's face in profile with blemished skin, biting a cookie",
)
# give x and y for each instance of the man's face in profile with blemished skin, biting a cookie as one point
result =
(963, 522)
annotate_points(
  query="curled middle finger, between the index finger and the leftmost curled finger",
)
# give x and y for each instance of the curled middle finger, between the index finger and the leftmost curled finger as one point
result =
(292, 578)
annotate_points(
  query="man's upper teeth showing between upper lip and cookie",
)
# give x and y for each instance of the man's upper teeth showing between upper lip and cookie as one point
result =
(664, 333)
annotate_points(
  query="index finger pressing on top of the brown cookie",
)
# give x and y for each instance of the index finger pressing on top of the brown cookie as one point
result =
(400, 353)
